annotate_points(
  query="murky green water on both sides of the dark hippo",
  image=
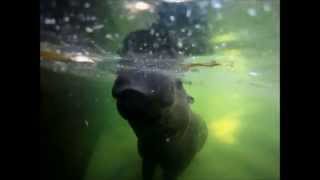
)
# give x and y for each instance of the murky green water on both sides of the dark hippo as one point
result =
(240, 105)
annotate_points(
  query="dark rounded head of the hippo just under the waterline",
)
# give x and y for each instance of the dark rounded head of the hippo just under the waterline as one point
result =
(143, 95)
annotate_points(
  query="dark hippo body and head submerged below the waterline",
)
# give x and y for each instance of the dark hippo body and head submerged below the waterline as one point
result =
(157, 108)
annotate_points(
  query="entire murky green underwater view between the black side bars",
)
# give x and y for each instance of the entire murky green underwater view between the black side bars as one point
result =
(160, 89)
